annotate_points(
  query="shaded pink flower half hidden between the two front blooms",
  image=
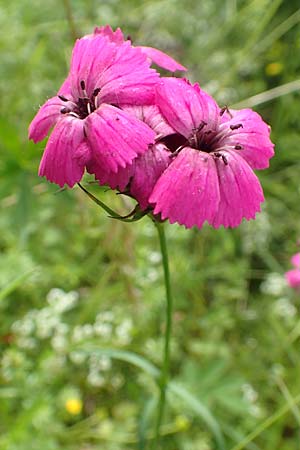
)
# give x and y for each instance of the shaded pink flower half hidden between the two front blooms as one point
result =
(139, 178)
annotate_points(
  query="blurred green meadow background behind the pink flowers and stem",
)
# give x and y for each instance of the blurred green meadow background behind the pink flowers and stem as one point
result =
(79, 291)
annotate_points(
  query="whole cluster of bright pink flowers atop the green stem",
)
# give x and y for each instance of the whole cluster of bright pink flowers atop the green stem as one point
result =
(162, 141)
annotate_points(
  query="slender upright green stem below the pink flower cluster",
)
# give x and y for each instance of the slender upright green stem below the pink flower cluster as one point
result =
(165, 373)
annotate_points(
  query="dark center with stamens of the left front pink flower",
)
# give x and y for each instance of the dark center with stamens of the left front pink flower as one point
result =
(84, 106)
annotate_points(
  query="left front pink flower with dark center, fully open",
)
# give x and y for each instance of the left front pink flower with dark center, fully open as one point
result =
(90, 128)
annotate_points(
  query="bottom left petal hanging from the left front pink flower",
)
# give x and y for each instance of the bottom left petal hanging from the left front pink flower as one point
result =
(66, 153)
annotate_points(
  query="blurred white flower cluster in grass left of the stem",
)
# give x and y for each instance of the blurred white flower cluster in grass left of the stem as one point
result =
(49, 324)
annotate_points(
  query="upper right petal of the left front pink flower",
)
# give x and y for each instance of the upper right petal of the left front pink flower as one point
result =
(128, 80)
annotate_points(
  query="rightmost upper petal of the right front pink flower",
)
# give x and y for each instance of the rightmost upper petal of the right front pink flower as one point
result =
(254, 137)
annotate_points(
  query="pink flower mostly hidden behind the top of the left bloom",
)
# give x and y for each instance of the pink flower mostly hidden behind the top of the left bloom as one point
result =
(160, 58)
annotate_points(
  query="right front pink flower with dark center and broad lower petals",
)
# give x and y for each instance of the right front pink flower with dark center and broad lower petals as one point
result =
(211, 177)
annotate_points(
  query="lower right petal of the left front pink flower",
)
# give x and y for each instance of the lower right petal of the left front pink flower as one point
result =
(116, 137)
